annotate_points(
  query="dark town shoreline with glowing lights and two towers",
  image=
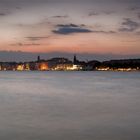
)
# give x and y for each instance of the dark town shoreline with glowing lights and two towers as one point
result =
(64, 64)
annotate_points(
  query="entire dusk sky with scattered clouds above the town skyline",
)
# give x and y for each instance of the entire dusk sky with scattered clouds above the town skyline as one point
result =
(92, 29)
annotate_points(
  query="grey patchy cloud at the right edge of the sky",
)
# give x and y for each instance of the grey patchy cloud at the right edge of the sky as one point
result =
(129, 25)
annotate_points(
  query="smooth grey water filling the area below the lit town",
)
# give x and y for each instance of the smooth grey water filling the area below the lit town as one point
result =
(69, 106)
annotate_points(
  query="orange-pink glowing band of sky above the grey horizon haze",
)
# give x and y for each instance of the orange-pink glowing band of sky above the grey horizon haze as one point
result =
(96, 44)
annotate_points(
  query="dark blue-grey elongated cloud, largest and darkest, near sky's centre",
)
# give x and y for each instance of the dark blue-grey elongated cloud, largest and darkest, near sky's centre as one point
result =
(70, 29)
